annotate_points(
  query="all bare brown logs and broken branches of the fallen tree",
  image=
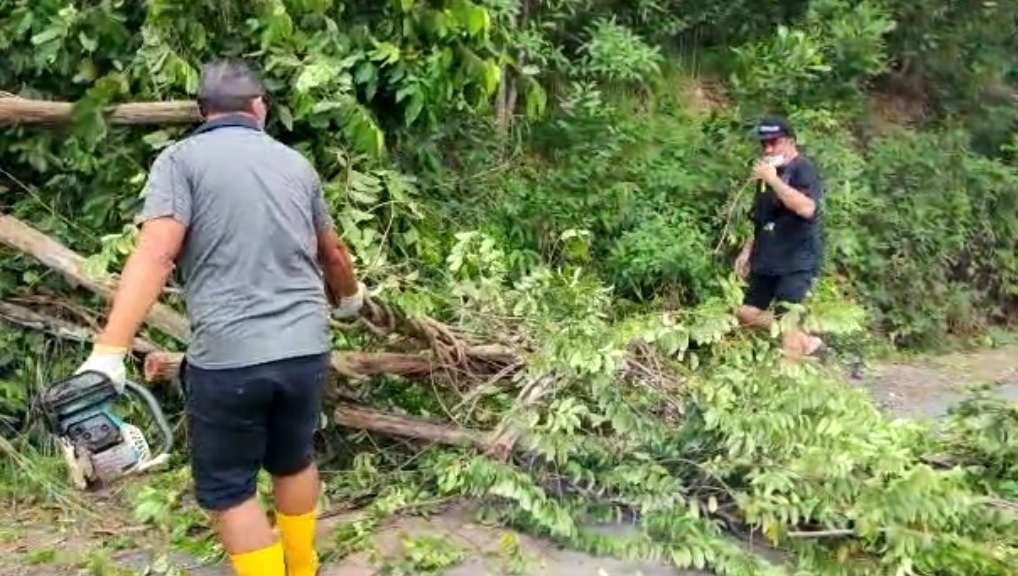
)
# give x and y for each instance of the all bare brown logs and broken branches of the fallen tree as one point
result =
(445, 354)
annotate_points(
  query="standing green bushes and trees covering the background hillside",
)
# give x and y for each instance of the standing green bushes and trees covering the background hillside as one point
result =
(643, 168)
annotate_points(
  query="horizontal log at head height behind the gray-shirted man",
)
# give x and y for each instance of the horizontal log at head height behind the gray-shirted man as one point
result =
(15, 110)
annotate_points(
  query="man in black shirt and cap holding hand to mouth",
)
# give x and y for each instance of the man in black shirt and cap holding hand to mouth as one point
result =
(782, 260)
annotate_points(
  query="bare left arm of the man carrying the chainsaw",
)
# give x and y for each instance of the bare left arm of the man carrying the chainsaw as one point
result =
(143, 280)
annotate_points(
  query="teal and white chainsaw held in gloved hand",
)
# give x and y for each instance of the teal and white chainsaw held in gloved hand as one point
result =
(98, 447)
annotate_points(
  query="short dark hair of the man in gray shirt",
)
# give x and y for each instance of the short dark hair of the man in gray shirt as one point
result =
(229, 86)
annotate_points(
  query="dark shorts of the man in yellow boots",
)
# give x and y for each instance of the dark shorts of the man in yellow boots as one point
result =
(244, 420)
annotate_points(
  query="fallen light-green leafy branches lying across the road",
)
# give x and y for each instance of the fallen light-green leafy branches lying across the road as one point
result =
(695, 430)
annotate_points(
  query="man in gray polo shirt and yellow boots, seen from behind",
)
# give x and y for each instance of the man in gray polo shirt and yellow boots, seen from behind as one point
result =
(244, 217)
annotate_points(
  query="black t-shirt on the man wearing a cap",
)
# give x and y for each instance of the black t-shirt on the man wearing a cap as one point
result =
(784, 243)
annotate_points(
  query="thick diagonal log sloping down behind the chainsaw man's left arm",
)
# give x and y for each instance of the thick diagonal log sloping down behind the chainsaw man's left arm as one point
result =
(63, 260)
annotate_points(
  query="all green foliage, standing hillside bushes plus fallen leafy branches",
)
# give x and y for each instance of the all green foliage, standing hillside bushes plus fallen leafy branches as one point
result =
(554, 177)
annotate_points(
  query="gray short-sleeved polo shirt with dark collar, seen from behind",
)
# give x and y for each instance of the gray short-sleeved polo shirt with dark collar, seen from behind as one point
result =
(254, 285)
